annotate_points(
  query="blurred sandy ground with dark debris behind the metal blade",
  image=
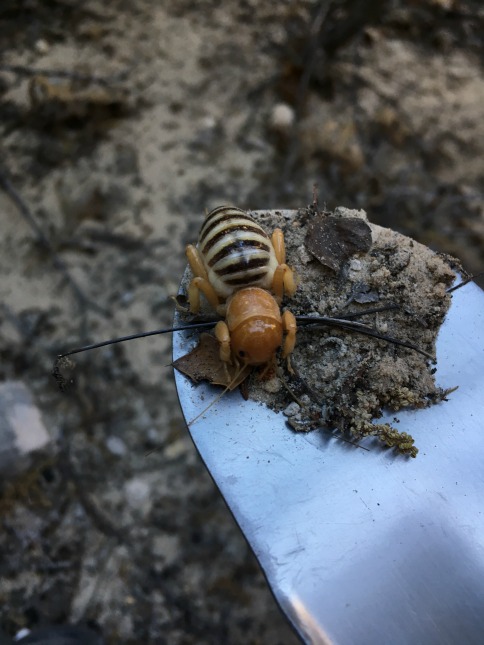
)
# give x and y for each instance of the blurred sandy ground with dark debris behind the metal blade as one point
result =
(121, 124)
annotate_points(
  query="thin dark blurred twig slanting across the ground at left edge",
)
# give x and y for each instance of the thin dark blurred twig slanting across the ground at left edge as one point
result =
(43, 240)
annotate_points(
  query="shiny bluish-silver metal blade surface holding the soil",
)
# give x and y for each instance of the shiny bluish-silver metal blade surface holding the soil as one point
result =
(363, 547)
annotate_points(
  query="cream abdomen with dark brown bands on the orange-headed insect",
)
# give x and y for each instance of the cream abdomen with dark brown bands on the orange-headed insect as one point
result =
(236, 251)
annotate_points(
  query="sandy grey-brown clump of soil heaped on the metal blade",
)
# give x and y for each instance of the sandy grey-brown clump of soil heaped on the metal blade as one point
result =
(341, 379)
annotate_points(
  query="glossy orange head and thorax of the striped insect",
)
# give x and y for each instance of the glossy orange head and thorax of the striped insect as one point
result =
(255, 326)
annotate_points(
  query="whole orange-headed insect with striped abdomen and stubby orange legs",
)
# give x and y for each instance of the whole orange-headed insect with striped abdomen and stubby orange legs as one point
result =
(237, 266)
